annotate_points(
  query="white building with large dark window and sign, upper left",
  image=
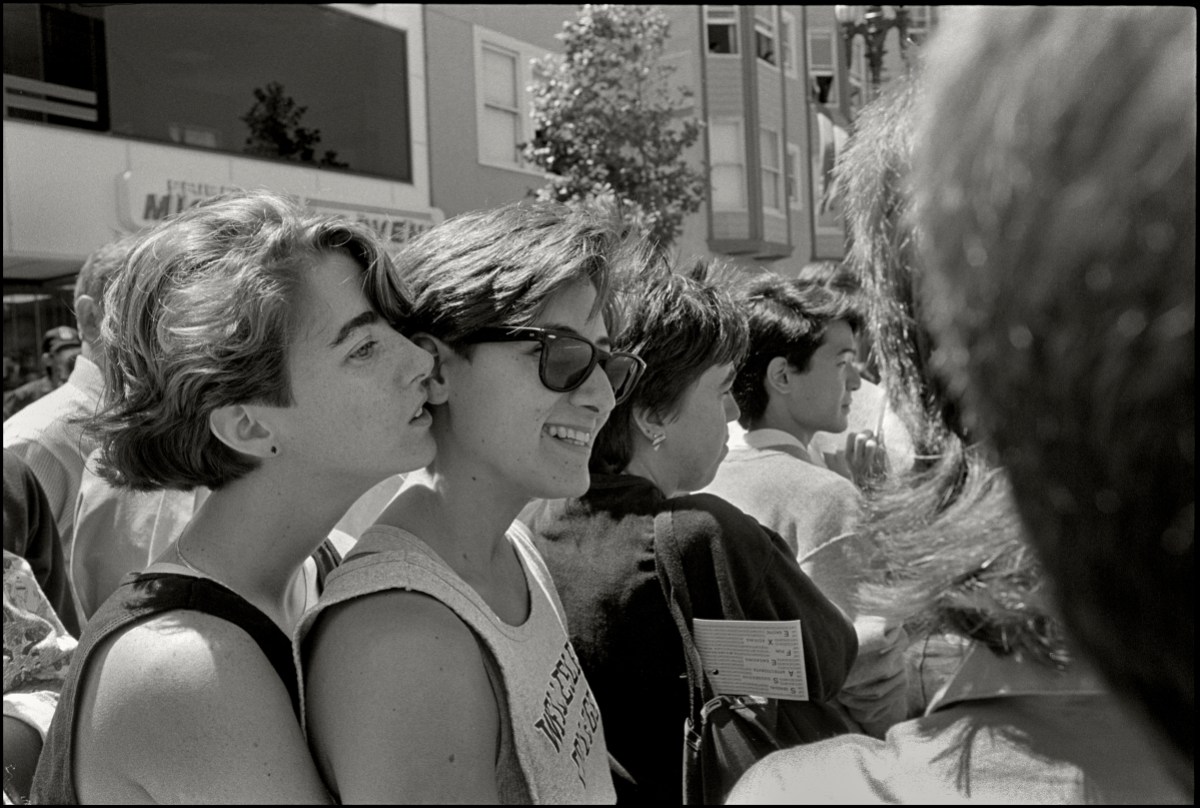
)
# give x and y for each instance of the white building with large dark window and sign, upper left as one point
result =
(121, 115)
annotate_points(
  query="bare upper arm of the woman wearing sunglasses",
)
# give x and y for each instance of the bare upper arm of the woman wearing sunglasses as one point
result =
(400, 705)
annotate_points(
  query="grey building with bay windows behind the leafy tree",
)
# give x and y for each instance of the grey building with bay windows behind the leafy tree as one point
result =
(767, 82)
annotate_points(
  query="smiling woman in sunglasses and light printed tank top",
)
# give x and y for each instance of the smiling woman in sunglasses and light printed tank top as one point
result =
(437, 668)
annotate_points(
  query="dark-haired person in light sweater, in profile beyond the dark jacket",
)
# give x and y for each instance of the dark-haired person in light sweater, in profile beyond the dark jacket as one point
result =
(800, 376)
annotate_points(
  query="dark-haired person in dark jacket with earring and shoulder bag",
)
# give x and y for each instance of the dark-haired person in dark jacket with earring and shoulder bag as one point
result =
(662, 444)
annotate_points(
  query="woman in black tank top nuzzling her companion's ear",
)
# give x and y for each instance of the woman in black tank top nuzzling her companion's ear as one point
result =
(251, 349)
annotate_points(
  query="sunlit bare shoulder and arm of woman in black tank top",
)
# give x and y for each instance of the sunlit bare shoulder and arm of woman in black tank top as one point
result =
(187, 709)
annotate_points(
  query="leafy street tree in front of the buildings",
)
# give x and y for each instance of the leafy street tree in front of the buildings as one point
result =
(609, 125)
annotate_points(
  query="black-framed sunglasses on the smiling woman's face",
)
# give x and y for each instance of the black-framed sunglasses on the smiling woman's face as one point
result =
(568, 360)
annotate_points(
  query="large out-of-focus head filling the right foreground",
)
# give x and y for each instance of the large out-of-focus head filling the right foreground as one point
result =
(1060, 218)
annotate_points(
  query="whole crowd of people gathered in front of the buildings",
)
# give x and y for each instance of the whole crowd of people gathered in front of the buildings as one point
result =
(963, 460)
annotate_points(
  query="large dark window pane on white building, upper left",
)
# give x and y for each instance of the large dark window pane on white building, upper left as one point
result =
(334, 87)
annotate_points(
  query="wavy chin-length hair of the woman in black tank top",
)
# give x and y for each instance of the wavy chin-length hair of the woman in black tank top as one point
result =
(202, 318)
